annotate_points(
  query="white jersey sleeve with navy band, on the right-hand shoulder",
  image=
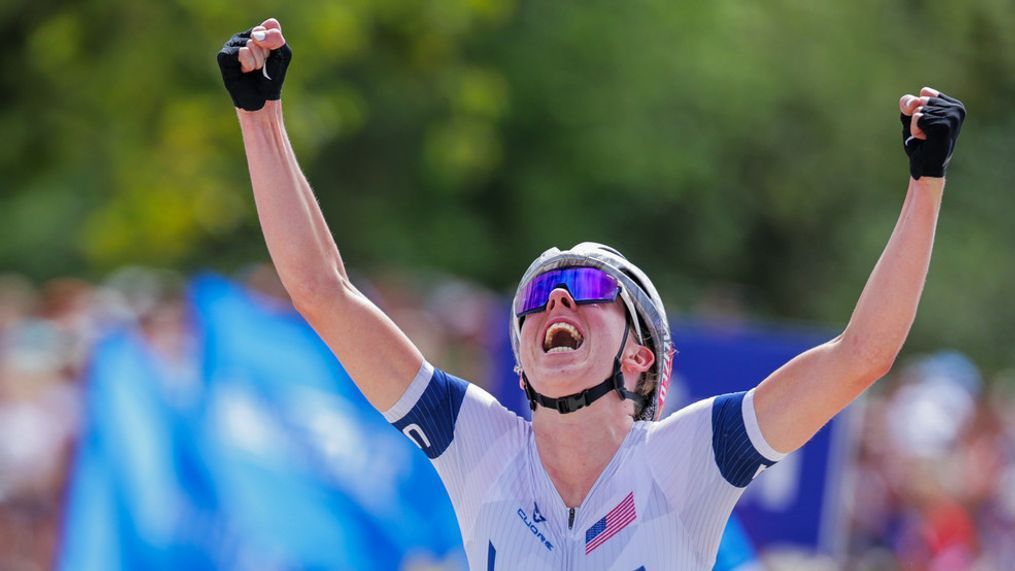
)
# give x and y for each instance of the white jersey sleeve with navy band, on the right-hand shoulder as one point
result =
(704, 457)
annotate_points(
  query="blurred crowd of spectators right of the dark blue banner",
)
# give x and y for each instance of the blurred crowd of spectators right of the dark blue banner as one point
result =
(934, 475)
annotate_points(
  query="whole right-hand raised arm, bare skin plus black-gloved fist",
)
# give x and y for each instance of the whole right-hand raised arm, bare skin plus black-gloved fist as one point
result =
(796, 401)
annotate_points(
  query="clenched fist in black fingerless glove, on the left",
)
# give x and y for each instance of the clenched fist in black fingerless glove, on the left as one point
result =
(254, 63)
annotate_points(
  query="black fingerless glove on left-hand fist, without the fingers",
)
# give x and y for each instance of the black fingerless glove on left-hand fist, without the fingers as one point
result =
(251, 91)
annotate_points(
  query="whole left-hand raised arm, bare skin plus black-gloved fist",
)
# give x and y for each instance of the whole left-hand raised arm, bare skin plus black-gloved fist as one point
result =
(379, 358)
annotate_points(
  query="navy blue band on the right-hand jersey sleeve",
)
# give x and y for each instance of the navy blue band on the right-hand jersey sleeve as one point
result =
(736, 457)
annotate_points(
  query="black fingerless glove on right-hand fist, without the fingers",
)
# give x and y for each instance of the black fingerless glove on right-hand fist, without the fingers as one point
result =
(941, 122)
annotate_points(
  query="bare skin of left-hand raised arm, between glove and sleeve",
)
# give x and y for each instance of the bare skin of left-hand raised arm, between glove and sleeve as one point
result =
(373, 350)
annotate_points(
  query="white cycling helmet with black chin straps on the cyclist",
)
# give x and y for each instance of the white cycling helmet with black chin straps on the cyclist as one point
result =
(649, 322)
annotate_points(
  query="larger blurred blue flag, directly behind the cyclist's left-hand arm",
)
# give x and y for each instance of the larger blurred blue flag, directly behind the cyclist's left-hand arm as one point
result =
(288, 419)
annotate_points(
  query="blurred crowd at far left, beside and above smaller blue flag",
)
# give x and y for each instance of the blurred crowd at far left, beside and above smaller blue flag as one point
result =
(46, 337)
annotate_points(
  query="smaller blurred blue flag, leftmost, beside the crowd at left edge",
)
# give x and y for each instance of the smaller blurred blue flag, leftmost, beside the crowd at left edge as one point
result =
(128, 507)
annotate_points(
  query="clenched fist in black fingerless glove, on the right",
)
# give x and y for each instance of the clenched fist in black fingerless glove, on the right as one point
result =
(931, 124)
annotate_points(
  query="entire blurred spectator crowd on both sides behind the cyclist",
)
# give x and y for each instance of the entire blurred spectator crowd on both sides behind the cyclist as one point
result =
(932, 485)
